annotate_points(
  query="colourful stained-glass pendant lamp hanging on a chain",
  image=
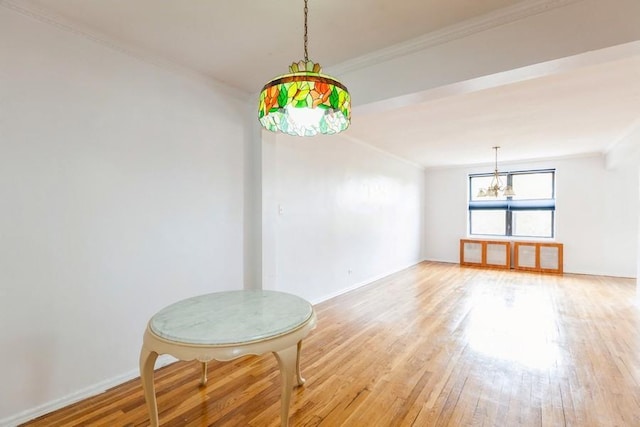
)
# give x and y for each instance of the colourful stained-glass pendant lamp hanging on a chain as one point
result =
(305, 102)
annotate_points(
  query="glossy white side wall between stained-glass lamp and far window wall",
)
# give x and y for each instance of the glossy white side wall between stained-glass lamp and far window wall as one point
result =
(341, 214)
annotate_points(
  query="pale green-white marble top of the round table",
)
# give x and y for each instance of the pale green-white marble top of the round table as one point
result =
(231, 317)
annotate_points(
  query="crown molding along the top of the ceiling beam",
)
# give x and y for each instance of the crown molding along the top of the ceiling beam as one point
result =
(469, 27)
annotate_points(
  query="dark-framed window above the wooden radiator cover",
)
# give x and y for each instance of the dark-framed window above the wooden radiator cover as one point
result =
(530, 213)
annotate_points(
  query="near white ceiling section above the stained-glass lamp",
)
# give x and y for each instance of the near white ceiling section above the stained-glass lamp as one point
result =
(244, 43)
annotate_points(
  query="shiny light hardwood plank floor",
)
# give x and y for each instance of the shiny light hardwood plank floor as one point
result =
(434, 345)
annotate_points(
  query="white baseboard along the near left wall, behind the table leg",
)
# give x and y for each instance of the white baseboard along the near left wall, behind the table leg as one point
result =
(79, 395)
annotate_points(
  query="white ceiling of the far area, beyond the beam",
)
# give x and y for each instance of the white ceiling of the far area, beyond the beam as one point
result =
(586, 110)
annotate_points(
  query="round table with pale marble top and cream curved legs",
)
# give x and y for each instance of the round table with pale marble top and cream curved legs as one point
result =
(224, 326)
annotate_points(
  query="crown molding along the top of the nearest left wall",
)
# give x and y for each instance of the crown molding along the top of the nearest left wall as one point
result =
(27, 9)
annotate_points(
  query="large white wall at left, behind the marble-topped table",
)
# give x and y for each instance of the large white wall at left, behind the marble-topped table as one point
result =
(121, 191)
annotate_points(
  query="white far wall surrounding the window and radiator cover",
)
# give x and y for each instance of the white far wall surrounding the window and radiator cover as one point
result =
(596, 214)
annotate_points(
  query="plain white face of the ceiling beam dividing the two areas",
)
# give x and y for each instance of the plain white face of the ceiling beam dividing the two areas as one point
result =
(562, 32)
